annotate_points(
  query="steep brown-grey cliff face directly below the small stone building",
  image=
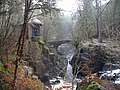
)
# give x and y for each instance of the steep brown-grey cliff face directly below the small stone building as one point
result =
(39, 58)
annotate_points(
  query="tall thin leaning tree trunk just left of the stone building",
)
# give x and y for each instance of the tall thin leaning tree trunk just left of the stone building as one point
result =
(21, 39)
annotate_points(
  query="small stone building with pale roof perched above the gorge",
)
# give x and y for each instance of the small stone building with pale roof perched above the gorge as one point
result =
(34, 29)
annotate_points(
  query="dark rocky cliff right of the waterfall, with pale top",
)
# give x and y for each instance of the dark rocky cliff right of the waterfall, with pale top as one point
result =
(93, 55)
